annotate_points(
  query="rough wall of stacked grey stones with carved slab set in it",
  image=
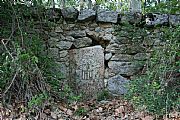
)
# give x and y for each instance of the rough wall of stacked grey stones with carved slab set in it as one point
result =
(97, 50)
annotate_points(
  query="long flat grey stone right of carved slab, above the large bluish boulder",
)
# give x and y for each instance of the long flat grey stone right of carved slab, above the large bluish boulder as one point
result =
(124, 68)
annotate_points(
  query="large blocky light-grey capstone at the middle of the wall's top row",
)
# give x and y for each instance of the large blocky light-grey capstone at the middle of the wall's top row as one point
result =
(107, 16)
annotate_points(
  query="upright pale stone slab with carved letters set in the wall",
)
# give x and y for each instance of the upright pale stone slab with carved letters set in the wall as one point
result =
(87, 70)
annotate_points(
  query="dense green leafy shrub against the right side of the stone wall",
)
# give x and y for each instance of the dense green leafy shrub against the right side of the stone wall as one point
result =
(157, 90)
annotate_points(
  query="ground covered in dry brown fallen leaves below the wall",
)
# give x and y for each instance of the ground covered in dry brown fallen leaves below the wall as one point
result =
(113, 109)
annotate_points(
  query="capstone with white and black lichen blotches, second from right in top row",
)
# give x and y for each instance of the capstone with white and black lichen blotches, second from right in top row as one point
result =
(158, 19)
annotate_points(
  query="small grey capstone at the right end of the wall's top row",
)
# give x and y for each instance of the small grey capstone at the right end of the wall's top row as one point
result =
(174, 19)
